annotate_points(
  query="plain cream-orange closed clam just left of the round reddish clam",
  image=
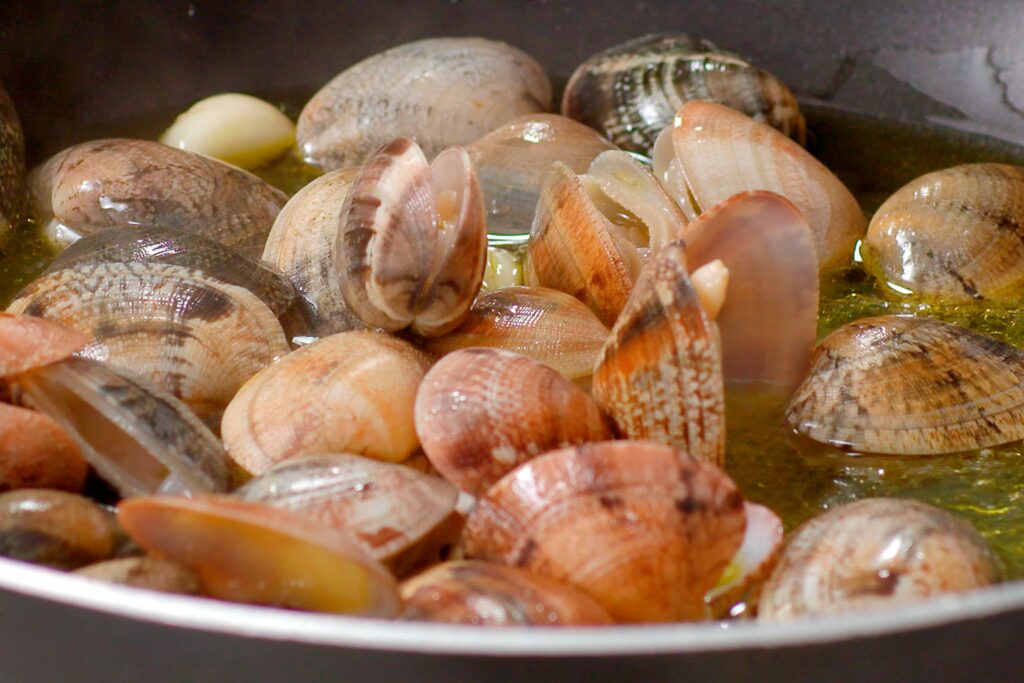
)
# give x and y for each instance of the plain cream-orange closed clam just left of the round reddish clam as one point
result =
(351, 393)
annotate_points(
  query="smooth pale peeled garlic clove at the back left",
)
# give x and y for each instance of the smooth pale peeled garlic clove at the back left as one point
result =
(236, 129)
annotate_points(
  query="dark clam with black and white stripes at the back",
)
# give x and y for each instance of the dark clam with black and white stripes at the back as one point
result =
(631, 93)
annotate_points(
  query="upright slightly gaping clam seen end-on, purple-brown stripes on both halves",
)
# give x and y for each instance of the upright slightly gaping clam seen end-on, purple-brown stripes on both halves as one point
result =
(413, 241)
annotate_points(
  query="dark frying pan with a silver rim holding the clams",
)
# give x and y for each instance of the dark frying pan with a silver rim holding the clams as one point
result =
(80, 71)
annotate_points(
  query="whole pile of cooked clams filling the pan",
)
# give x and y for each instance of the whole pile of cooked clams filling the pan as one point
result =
(477, 372)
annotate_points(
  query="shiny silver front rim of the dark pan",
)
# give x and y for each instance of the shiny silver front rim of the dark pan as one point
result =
(351, 632)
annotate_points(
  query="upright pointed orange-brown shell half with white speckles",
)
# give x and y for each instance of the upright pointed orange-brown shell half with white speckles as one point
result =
(660, 373)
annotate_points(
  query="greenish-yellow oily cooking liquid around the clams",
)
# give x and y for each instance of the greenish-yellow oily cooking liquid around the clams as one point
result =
(793, 476)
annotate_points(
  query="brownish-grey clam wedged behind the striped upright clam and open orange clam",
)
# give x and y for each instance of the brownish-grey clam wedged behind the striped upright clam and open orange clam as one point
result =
(511, 160)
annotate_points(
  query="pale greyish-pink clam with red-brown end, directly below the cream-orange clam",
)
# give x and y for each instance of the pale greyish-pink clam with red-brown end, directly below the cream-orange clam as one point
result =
(401, 518)
